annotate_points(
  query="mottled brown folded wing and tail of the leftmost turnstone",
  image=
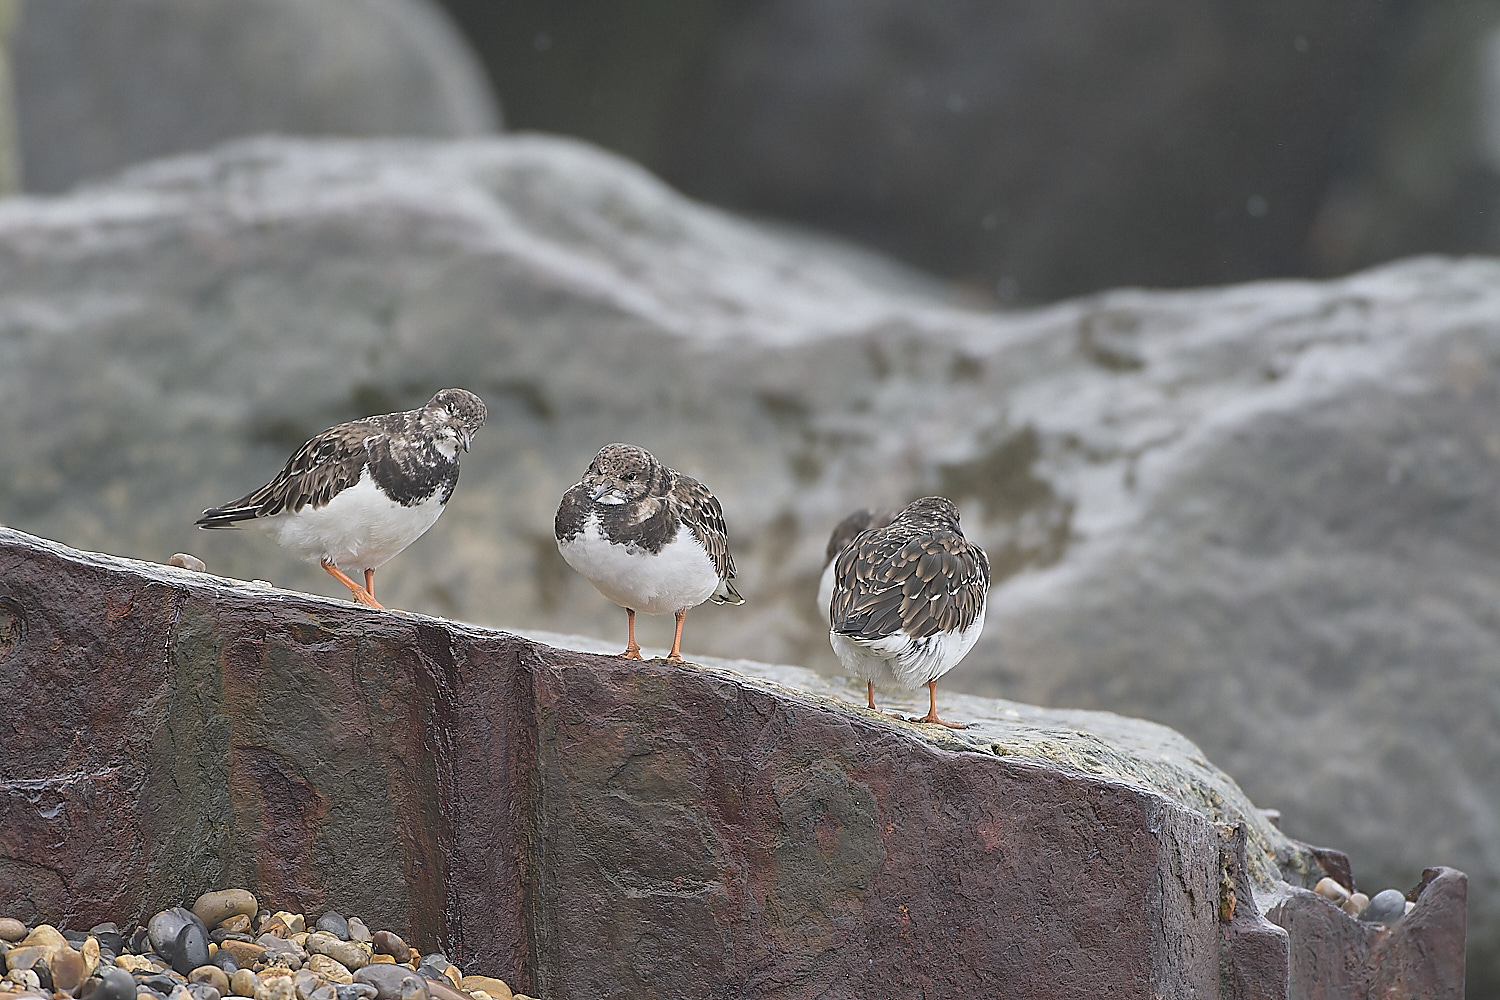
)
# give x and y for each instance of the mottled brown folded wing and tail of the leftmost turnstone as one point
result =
(322, 469)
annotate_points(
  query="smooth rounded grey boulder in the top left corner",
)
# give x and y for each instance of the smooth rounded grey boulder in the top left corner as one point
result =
(107, 83)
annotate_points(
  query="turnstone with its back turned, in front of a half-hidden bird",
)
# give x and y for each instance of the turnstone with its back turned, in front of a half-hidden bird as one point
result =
(910, 600)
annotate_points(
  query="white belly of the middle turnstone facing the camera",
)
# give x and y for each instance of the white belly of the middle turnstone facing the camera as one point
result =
(677, 578)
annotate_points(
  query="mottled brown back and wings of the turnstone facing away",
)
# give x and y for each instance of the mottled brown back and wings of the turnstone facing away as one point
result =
(922, 585)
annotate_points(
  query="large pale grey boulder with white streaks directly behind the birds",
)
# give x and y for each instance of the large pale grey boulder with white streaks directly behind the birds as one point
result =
(1265, 515)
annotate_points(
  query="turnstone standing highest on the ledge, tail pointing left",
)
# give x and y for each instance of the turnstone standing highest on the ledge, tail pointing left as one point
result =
(361, 493)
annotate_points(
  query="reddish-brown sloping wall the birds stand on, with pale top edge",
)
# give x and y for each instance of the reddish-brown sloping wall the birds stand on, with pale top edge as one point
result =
(589, 827)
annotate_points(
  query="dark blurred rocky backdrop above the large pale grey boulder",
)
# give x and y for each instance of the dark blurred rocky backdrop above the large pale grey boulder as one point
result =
(1034, 151)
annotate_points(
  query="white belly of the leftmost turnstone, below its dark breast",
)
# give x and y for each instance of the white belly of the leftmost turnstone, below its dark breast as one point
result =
(361, 528)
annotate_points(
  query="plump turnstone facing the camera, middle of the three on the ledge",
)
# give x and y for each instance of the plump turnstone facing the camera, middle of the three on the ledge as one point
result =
(650, 539)
